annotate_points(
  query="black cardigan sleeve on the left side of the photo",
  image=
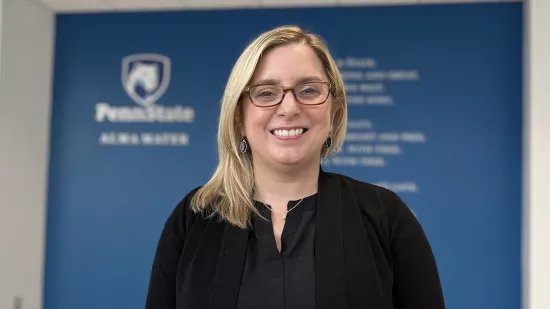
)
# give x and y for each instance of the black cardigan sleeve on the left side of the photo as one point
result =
(162, 283)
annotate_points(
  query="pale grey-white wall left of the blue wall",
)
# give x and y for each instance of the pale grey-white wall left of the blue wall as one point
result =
(26, 54)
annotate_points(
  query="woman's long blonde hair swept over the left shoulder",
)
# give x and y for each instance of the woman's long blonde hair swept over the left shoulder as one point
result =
(228, 193)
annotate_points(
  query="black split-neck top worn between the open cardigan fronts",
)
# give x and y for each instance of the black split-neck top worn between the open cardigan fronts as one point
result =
(286, 279)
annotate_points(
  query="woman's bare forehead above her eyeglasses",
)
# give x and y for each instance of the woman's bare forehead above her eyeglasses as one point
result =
(288, 64)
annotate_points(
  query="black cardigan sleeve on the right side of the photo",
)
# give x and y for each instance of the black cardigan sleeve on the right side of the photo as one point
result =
(416, 278)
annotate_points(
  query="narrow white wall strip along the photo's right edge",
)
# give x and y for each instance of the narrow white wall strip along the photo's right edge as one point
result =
(537, 155)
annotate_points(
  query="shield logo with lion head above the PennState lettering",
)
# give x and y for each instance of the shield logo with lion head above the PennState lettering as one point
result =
(145, 77)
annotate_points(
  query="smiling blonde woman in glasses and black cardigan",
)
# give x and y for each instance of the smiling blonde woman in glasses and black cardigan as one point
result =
(271, 229)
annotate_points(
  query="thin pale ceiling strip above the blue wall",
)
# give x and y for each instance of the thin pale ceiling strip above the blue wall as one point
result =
(147, 5)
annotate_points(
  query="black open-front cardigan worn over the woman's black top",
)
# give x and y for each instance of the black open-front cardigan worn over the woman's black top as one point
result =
(370, 252)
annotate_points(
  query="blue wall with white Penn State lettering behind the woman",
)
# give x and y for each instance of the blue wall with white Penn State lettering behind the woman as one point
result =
(435, 103)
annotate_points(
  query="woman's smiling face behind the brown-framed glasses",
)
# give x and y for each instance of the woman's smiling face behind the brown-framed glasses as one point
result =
(289, 133)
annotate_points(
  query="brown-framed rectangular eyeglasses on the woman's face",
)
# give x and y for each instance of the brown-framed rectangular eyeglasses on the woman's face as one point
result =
(267, 95)
